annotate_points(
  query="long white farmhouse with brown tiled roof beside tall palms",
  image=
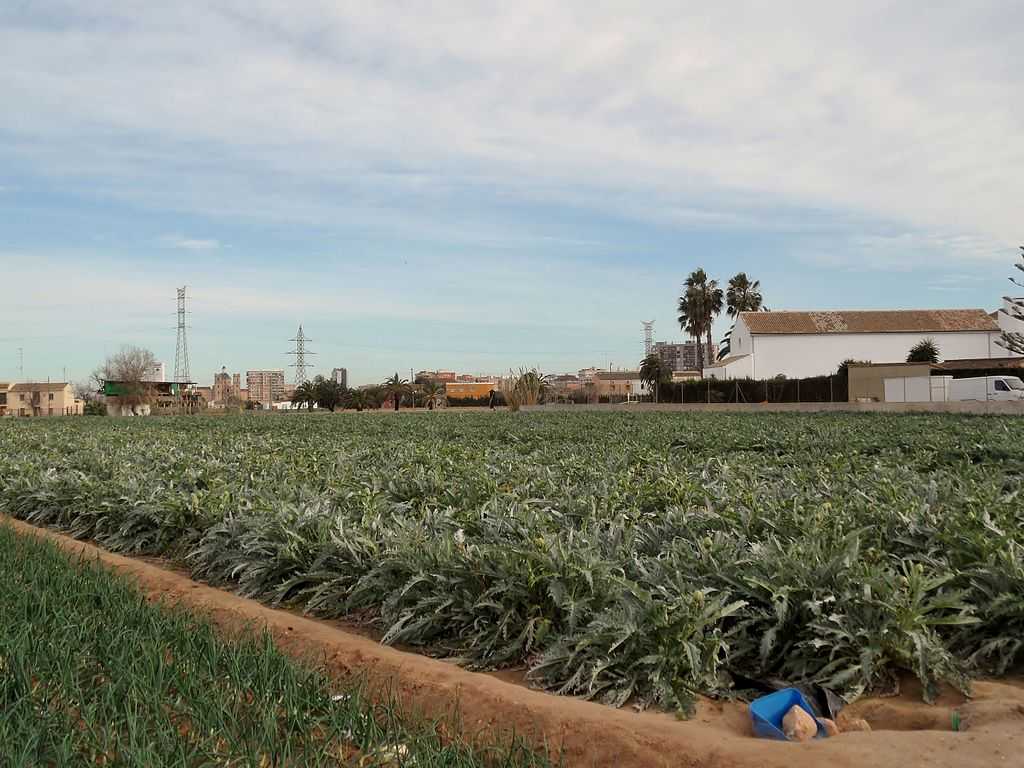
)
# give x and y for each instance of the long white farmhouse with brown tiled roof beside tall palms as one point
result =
(800, 345)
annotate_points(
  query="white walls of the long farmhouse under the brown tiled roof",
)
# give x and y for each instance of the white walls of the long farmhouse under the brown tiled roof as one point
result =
(799, 356)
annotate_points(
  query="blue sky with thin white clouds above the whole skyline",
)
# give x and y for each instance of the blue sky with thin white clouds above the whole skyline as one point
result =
(485, 186)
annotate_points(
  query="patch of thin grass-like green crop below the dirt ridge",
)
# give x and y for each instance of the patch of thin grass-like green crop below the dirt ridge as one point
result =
(92, 674)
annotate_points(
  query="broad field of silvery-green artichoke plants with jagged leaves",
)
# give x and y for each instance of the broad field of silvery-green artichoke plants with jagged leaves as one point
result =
(623, 558)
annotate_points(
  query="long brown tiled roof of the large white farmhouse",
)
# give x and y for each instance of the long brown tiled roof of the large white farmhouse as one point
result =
(870, 322)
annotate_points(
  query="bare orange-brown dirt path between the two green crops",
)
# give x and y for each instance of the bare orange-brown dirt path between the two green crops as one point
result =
(590, 735)
